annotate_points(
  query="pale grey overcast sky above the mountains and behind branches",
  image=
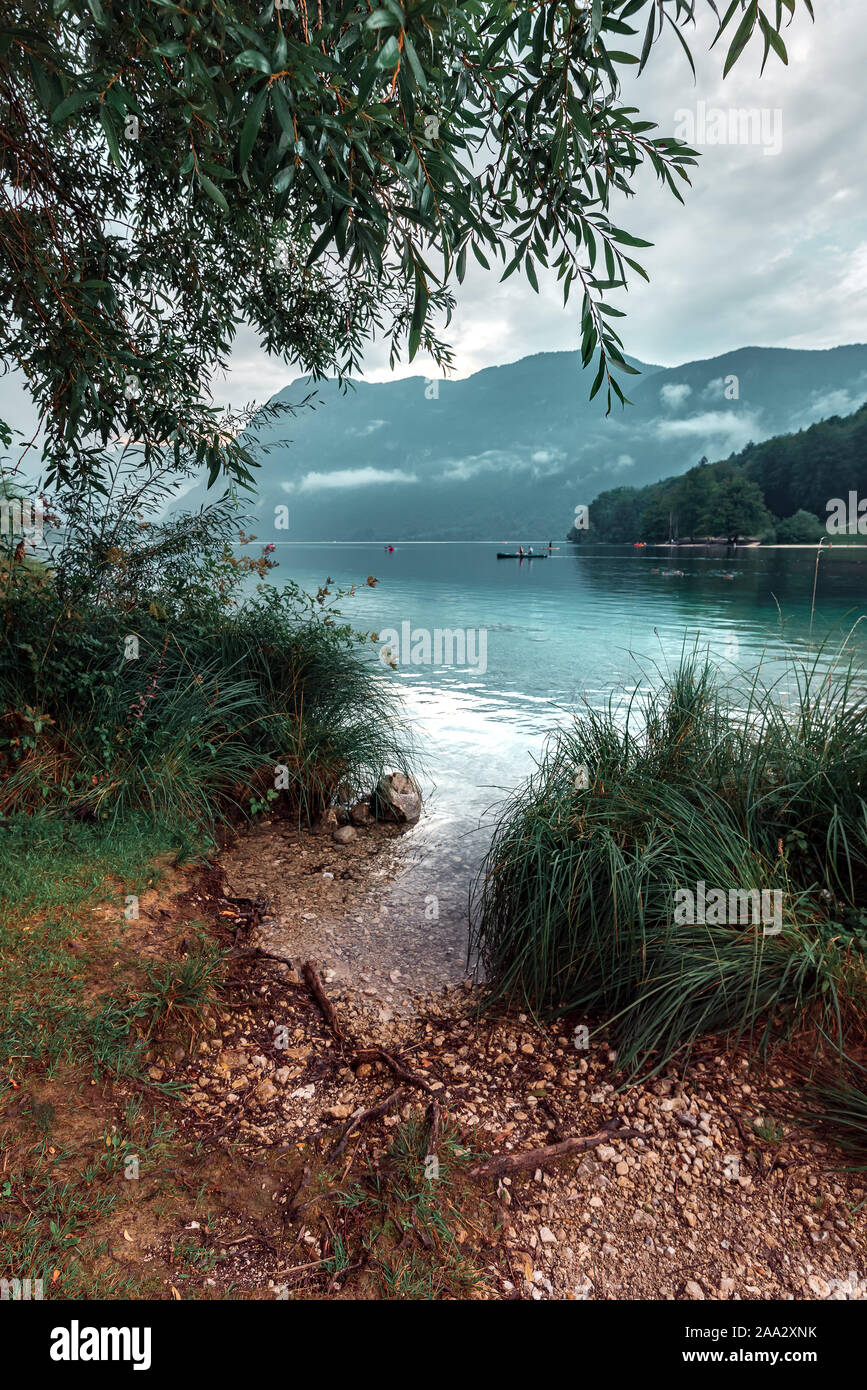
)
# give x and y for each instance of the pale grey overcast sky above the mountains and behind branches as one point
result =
(770, 250)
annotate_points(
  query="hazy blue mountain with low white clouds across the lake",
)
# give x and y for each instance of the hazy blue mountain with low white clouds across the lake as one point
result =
(513, 451)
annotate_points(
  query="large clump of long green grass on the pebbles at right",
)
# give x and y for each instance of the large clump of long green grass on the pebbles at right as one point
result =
(584, 901)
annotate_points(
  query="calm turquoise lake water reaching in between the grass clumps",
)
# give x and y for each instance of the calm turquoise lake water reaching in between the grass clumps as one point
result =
(580, 626)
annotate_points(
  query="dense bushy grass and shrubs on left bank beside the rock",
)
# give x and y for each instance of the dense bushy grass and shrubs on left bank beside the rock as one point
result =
(148, 667)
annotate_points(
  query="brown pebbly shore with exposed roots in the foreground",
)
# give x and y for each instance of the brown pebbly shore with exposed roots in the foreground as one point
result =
(718, 1195)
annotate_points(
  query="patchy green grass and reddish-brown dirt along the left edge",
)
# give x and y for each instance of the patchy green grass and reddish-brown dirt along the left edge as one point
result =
(79, 1008)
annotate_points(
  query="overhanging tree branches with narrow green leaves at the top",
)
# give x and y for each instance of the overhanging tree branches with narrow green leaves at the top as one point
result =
(317, 169)
